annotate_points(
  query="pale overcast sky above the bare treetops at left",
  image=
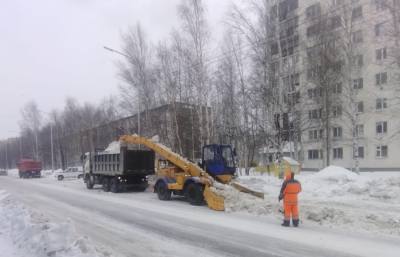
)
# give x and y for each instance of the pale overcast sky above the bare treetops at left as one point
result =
(53, 49)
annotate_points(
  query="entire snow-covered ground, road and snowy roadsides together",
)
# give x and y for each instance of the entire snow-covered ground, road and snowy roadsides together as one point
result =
(362, 211)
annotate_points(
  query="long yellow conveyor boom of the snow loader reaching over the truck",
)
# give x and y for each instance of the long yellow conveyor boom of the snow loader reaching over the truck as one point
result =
(166, 153)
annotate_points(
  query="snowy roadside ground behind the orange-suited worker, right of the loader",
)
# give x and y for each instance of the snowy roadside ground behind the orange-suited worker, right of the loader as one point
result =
(334, 197)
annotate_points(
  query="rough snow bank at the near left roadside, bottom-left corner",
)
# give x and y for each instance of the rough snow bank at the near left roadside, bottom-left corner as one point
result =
(33, 235)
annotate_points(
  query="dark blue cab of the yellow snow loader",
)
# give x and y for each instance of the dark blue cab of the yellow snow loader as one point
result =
(218, 160)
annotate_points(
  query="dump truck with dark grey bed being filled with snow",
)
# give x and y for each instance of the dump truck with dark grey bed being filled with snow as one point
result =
(120, 169)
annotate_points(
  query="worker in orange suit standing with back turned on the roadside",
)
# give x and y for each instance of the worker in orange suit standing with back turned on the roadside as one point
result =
(289, 191)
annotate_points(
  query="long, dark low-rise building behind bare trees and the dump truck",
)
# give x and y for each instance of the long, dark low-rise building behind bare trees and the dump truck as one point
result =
(176, 125)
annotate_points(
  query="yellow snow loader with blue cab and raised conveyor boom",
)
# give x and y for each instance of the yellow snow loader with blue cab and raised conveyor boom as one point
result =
(179, 176)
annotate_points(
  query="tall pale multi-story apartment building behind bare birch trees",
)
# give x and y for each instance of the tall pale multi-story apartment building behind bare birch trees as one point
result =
(336, 62)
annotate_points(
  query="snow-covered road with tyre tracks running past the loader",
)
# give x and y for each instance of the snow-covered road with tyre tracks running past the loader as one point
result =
(138, 224)
